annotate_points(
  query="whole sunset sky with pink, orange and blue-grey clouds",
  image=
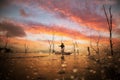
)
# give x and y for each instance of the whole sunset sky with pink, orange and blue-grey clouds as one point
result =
(68, 20)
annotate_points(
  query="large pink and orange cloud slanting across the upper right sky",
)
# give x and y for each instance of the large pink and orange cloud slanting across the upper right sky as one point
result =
(86, 13)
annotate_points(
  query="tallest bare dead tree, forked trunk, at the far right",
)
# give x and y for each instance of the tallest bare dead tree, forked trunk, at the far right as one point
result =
(109, 22)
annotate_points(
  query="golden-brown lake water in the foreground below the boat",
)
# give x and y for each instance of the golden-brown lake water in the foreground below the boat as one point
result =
(49, 67)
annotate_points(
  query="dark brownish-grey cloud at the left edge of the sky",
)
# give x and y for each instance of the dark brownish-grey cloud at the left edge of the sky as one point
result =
(12, 29)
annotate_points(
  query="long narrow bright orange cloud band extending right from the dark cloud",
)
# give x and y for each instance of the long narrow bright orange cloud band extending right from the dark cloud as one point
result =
(60, 31)
